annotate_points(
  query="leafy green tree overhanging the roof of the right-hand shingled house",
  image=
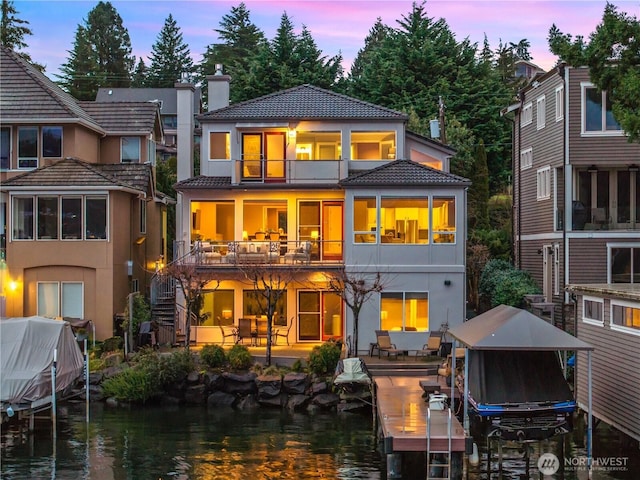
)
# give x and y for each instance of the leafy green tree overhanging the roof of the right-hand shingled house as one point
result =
(613, 58)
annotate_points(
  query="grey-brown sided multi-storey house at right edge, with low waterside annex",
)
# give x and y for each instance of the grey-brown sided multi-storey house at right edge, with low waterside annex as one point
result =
(577, 222)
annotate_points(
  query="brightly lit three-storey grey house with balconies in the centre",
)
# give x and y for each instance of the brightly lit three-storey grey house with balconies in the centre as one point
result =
(311, 180)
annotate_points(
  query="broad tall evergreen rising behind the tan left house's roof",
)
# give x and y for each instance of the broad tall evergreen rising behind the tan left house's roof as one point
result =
(101, 56)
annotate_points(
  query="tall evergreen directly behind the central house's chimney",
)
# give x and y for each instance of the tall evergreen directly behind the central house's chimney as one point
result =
(241, 40)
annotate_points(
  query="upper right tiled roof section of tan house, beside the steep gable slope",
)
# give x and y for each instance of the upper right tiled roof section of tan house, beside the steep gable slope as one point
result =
(123, 117)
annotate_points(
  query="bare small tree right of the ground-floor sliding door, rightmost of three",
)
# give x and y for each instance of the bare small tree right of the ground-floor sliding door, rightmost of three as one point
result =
(355, 289)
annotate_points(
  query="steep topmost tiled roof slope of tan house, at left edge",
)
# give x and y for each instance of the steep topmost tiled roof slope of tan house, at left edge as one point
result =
(29, 96)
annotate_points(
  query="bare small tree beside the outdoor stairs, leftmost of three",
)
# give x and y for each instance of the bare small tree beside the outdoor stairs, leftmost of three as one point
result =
(191, 283)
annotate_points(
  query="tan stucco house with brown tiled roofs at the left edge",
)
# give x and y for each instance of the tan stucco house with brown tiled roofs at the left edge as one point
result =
(82, 224)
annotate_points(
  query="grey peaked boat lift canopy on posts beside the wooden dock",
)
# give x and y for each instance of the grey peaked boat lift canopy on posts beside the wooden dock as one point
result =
(509, 328)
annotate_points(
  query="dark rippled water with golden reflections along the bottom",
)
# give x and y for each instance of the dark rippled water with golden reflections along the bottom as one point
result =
(193, 443)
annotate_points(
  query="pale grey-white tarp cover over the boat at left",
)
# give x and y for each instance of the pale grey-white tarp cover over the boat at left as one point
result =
(27, 347)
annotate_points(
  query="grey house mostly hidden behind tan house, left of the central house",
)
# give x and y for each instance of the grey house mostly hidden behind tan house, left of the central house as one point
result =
(166, 98)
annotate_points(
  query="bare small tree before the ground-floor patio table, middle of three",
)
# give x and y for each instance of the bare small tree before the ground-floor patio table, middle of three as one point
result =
(270, 283)
